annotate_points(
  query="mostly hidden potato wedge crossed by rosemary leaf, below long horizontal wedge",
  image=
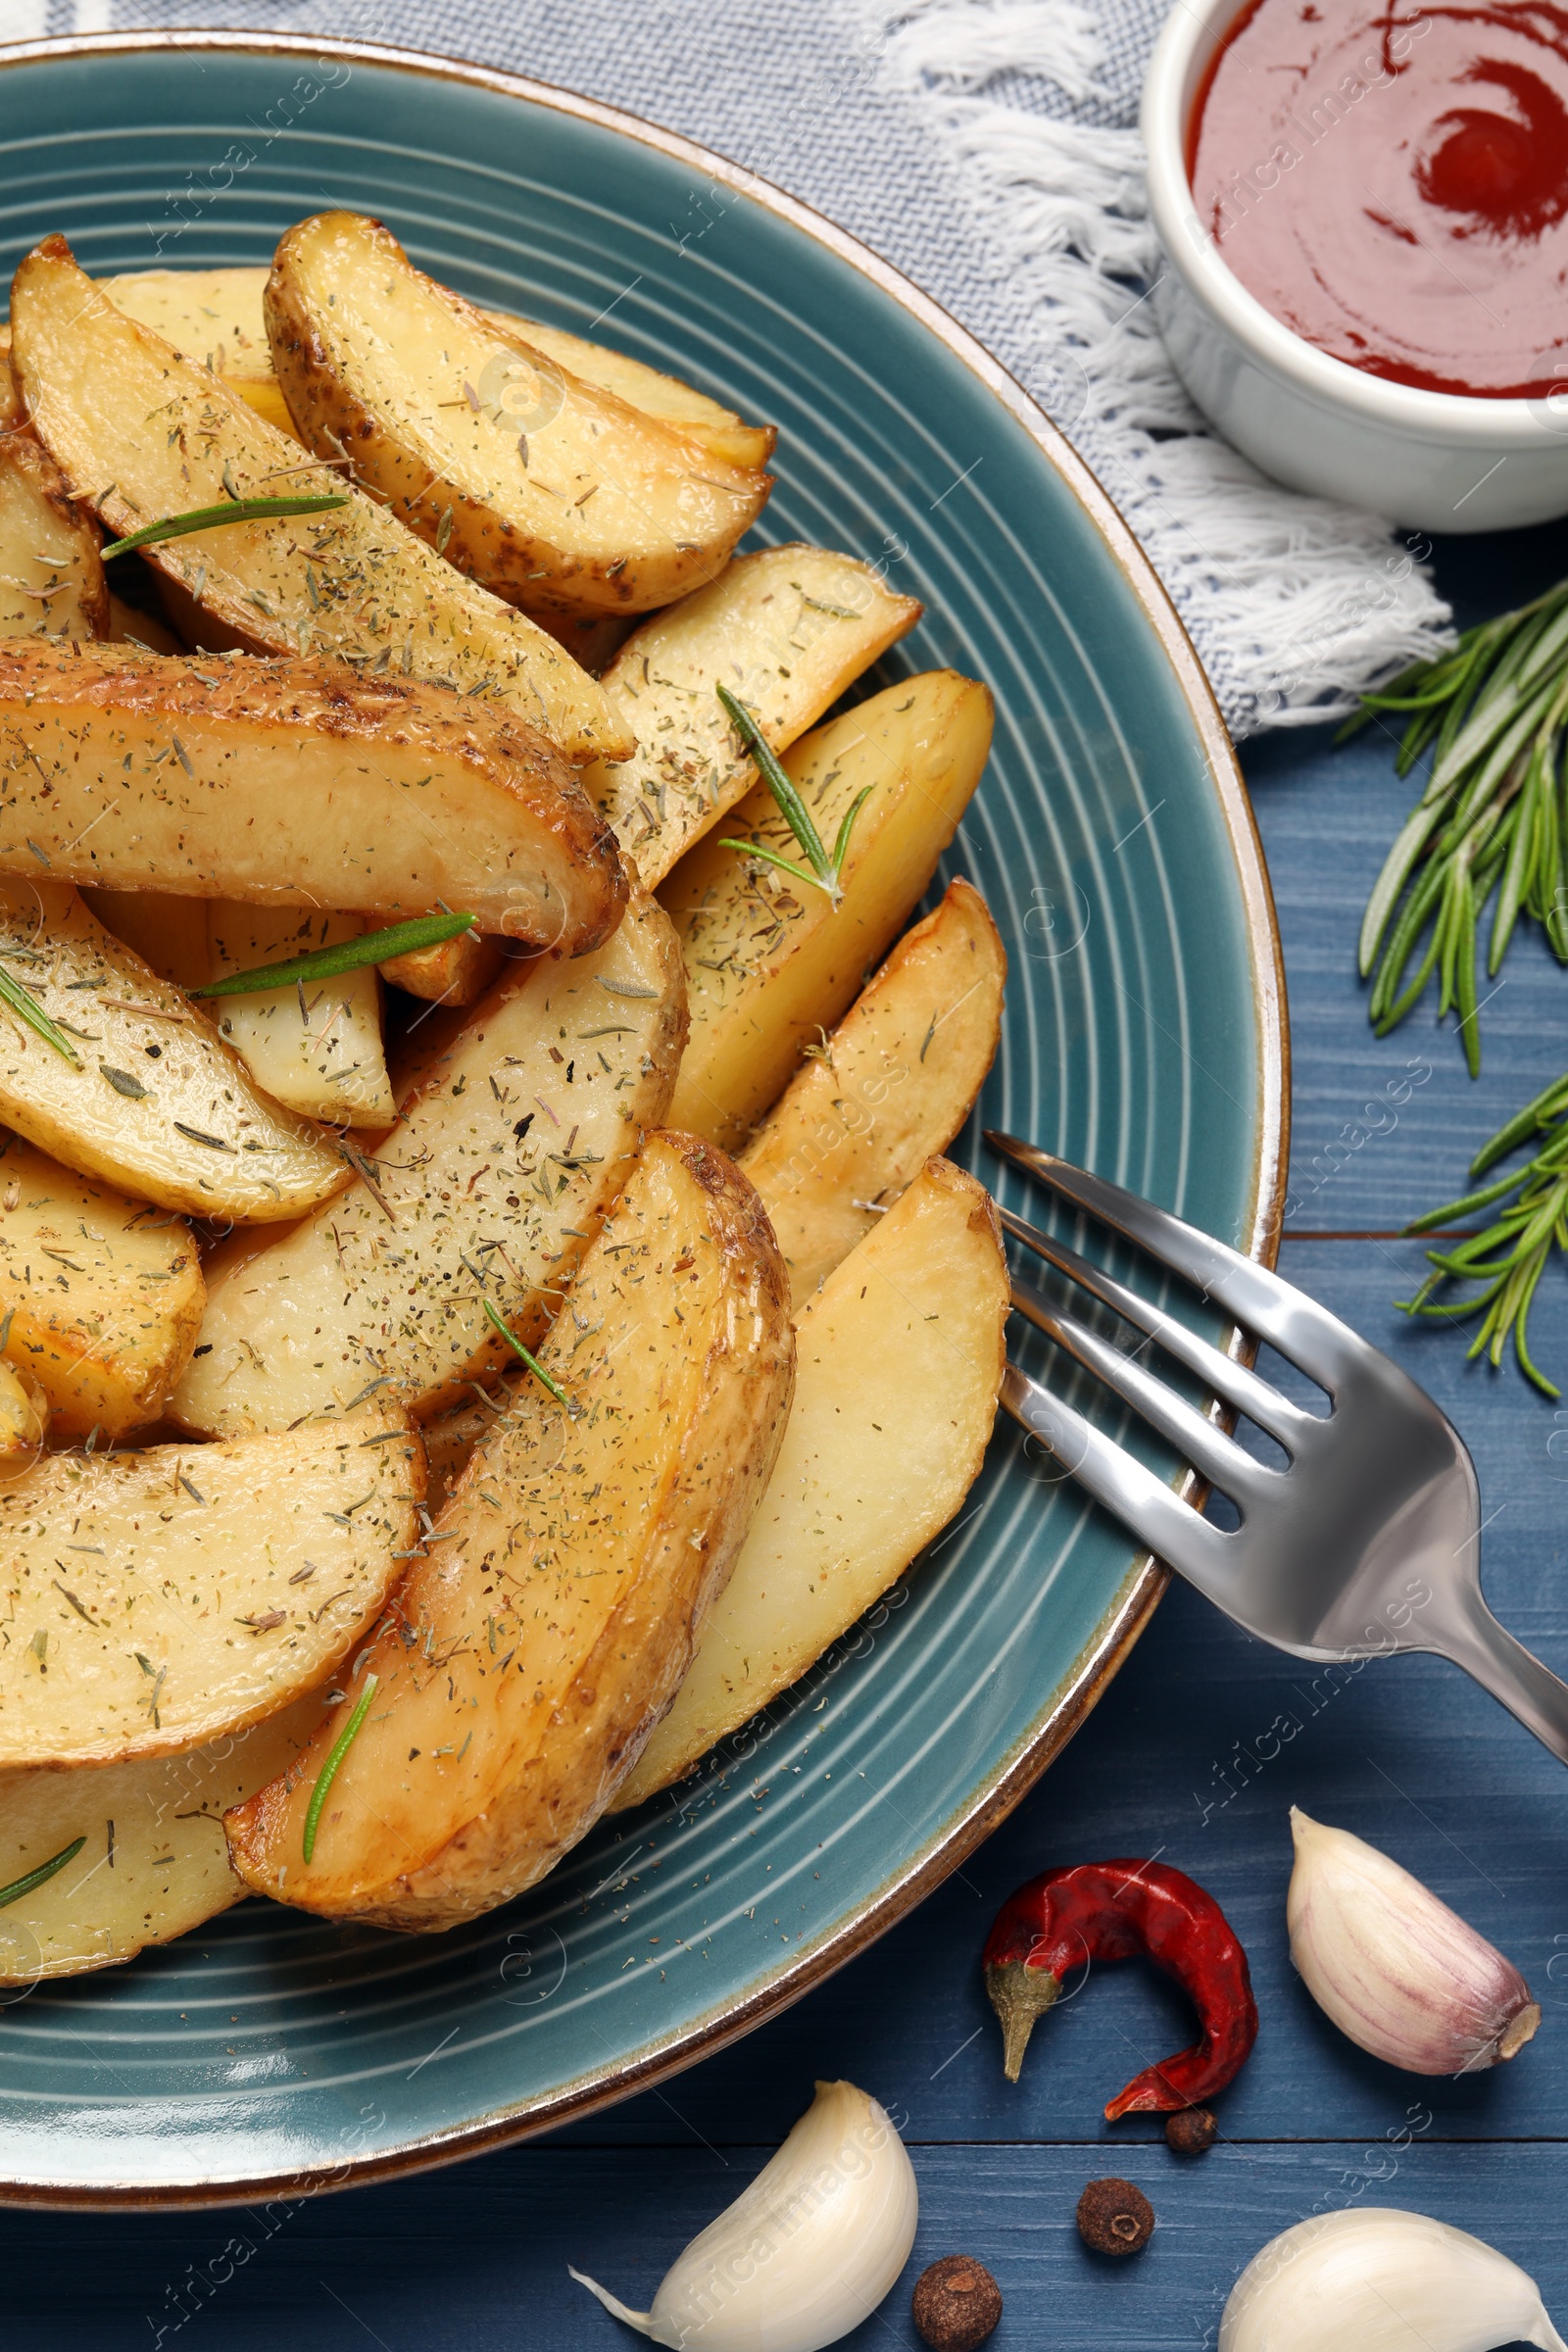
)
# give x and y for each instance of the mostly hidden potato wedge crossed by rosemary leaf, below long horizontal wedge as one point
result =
(319, 1048)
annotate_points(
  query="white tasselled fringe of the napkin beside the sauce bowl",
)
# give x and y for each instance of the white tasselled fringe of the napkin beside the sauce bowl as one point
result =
(1294, 603)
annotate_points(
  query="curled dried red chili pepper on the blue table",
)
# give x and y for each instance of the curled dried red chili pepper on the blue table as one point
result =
(1125, 1911)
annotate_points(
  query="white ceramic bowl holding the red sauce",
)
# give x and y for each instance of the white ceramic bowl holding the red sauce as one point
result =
(1428, 460)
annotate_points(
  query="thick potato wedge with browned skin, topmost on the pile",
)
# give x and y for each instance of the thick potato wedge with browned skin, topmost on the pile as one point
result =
(554, 493)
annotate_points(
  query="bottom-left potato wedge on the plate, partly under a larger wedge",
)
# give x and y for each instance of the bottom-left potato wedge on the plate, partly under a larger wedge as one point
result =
(154, 1859)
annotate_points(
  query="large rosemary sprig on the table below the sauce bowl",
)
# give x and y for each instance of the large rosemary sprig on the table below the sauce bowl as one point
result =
(1494, 817)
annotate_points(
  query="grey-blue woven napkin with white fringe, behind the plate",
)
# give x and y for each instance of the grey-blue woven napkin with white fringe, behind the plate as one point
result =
(989, 149)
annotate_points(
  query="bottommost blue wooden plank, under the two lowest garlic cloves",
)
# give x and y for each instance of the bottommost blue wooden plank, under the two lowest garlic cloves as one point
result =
(478, 2257)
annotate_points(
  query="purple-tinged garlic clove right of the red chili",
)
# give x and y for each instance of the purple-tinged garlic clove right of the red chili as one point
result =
(1395, 1970)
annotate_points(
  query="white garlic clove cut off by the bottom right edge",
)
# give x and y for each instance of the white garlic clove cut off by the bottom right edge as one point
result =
(1383, 2283)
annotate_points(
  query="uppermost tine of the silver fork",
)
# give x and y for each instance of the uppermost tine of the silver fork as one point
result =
(1304, 1332)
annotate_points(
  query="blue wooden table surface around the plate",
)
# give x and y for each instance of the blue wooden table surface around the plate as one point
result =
(1195, 1753)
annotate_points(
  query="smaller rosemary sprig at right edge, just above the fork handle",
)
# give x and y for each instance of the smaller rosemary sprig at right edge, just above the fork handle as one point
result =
(1513, 1255)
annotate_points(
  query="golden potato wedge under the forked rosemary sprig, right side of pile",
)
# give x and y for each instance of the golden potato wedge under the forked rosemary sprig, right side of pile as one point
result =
(770, 963)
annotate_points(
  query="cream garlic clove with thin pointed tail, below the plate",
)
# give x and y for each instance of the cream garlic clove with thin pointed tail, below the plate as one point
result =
(808, 2252)
